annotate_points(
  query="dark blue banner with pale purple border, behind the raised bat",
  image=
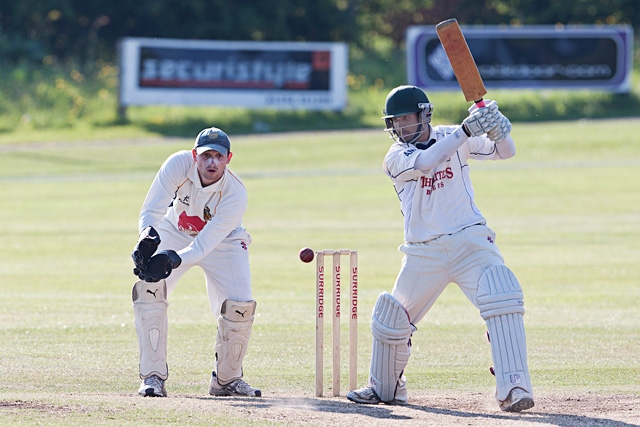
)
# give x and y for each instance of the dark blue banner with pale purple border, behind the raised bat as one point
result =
(535, 57)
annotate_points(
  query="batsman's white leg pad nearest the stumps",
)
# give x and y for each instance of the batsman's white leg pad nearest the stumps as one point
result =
(391, 331)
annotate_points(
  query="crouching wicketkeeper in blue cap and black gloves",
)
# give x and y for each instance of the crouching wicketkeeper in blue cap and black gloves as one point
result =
(192, 216)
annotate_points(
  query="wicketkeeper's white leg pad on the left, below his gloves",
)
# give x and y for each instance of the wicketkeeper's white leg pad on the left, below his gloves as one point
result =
(150, 312)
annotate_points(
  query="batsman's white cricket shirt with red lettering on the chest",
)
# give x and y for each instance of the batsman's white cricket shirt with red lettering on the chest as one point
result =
(440, 200)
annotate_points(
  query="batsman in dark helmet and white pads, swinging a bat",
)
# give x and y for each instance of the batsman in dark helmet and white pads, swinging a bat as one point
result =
(446, 240)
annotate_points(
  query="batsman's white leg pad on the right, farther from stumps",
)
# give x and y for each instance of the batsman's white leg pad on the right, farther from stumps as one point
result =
(500, 300)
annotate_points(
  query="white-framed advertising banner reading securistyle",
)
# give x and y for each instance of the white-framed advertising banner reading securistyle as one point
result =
(250, 74)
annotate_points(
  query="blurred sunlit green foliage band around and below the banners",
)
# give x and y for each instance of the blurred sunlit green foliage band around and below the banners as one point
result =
(50, 98)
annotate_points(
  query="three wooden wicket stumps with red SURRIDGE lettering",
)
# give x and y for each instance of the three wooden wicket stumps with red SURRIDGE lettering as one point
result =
(353, 318)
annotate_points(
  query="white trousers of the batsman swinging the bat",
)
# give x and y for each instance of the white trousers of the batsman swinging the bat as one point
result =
(428, 267)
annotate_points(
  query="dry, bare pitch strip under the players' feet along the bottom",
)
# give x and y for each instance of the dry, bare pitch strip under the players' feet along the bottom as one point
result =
(424, 410)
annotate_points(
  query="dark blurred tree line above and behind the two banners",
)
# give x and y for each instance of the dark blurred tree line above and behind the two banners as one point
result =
(83, 31)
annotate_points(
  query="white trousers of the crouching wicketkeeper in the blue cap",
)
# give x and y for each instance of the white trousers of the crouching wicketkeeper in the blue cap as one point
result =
(226, 268)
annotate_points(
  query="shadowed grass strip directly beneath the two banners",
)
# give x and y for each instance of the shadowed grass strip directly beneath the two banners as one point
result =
(531, 107)
